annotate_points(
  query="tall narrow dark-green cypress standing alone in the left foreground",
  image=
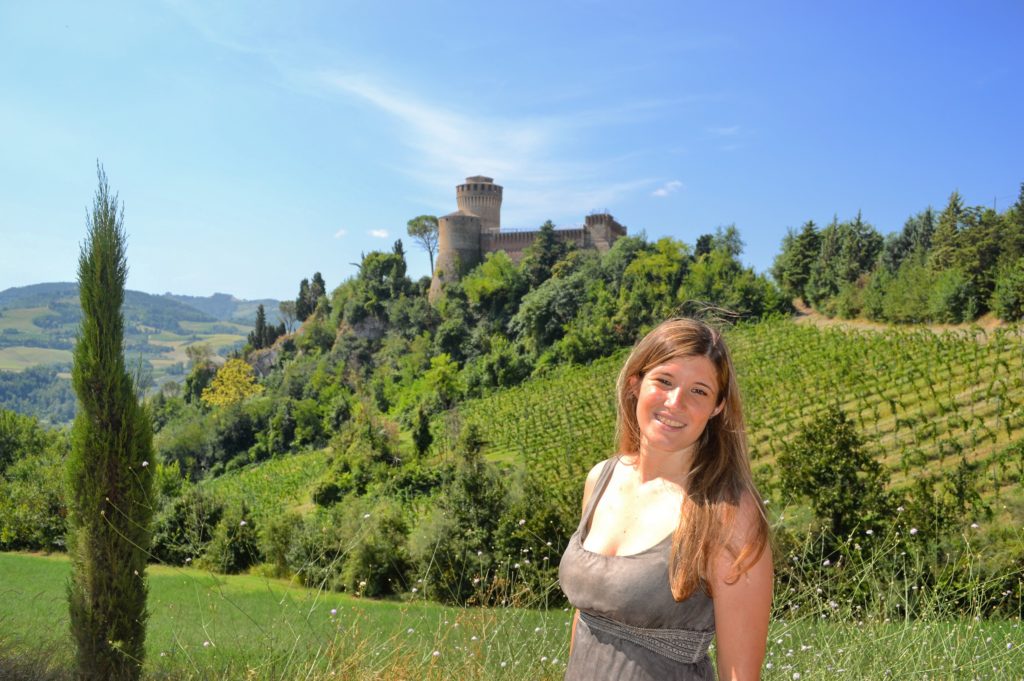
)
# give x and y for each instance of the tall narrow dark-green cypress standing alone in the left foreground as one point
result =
(110, 500)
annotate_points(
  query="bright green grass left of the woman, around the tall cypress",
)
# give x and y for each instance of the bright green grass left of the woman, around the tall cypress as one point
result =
(204, 626)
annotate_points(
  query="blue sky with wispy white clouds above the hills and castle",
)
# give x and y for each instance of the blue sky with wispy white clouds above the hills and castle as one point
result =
(257, 143)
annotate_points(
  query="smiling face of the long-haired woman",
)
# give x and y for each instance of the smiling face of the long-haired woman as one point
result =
(675, 401)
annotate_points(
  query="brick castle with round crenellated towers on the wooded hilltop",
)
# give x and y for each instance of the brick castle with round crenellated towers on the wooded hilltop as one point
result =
(467, 235)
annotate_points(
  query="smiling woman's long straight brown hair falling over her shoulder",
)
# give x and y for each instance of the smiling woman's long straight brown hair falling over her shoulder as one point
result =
(720, 474)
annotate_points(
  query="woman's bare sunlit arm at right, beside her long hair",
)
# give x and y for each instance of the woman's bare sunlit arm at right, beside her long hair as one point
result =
(742, 609)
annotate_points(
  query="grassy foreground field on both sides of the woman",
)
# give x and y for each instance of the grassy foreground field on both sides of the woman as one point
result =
(214, 627)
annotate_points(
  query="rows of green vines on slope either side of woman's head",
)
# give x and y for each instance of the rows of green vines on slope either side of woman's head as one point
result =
(922, 401)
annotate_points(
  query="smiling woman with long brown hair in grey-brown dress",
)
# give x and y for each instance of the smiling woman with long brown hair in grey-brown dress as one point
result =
(672, 549)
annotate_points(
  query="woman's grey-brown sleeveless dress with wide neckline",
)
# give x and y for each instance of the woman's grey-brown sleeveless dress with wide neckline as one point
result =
(633, 590)
